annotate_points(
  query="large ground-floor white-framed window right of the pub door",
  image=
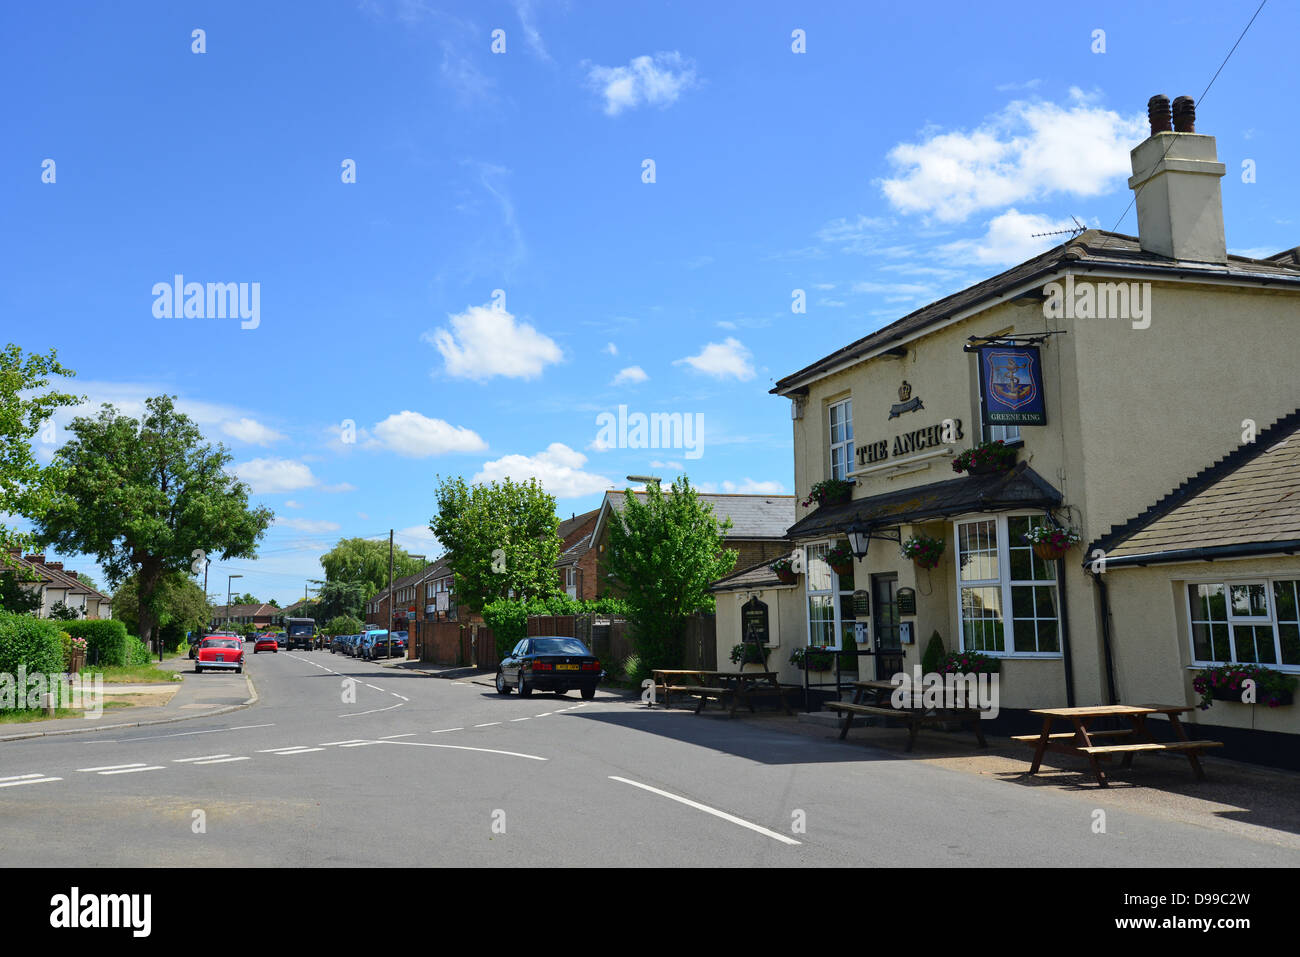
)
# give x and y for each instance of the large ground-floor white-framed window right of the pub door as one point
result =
(1008, 599)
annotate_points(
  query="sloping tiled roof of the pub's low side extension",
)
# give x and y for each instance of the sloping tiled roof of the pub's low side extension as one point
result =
(1246, 504)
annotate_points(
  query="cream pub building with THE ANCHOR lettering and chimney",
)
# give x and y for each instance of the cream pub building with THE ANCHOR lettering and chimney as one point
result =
(1120, 370)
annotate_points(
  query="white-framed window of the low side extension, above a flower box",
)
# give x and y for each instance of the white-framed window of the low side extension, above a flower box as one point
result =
(1246, 622)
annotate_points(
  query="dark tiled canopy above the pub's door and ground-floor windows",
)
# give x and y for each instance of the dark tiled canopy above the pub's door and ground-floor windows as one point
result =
(1020, 488)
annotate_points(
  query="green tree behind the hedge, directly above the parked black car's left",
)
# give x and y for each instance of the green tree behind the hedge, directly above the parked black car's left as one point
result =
(500, 538)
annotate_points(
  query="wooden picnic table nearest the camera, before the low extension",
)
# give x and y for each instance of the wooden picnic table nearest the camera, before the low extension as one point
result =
(1082, 742)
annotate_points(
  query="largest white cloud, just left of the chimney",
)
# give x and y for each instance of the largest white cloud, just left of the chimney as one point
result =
(1029, 151)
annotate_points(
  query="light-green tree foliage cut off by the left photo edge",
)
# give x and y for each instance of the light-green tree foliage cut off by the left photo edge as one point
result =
(27, 488)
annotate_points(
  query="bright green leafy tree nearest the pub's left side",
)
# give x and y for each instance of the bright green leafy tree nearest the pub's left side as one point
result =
(662, 556)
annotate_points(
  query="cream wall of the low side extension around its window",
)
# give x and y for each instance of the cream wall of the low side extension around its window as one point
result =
(1152, 647)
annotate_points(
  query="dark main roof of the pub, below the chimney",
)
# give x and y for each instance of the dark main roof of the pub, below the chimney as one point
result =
(1094, 249)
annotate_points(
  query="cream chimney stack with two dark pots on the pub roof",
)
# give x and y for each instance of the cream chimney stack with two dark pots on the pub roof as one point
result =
(1177, 180)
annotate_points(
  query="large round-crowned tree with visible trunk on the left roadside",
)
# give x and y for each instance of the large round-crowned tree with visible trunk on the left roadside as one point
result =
(148, 497)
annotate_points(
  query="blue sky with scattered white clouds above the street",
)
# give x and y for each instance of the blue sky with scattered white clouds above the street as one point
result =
(911, 151)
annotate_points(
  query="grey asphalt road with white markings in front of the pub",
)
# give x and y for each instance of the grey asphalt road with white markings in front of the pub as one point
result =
(411, 770)
